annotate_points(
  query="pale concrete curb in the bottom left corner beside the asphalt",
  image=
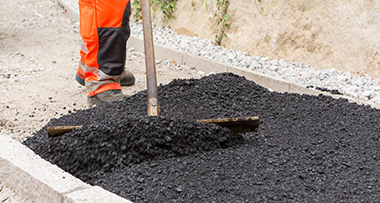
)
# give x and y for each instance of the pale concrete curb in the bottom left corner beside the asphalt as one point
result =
(33, 179)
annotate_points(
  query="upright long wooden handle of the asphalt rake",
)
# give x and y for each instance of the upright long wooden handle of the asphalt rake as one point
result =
(150, 63)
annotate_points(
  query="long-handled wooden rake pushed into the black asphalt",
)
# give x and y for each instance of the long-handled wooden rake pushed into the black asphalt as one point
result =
(240, 125)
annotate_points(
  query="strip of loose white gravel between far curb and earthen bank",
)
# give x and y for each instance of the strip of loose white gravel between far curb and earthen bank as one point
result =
(361, 87)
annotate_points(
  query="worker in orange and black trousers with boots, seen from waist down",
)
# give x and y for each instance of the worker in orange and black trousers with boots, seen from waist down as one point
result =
(104, 29)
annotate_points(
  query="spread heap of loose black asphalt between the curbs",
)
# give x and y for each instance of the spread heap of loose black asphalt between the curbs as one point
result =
(307, 149)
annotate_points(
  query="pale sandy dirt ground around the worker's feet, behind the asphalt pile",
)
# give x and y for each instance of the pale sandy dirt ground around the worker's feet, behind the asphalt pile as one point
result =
(39, 53)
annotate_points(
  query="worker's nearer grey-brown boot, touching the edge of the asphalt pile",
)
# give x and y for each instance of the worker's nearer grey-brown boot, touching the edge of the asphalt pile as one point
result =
(105, 97)
